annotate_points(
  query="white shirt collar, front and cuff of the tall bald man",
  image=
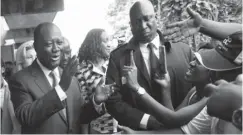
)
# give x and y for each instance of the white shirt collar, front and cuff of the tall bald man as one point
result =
(146, 56)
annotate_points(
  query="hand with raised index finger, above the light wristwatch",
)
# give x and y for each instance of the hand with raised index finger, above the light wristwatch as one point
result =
(130, 73)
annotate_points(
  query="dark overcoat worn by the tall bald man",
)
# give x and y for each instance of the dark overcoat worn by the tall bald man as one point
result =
(125, 105)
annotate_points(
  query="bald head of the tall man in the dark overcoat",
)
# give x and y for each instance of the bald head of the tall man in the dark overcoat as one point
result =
(143, 22)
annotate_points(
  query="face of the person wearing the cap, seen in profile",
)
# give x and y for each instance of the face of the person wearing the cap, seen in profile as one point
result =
(197, 73)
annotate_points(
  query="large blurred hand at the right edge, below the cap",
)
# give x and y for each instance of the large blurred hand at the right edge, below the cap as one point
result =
(225, 97)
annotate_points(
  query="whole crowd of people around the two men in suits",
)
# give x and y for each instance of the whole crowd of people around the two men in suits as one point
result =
(153, 84)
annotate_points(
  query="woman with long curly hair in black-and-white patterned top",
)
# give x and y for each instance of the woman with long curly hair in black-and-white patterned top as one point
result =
(93, 56)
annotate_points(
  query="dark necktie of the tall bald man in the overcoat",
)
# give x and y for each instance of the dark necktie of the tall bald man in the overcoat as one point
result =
(154, 62)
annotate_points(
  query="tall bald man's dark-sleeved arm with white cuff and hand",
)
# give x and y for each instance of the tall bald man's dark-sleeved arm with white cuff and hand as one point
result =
(123, 112)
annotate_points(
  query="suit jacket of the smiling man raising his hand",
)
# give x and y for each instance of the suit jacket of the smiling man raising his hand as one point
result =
(38, 107)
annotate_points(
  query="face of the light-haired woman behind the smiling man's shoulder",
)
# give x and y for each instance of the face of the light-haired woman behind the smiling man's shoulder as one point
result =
(29, 58)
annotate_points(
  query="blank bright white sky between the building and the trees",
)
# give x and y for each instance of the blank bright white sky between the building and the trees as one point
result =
(79, 16)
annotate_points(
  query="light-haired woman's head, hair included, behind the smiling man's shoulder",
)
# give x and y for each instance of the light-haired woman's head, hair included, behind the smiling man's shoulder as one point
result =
(25, 55)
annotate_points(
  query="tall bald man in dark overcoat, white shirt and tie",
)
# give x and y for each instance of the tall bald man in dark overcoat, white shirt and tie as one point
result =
(126, 105)
